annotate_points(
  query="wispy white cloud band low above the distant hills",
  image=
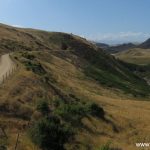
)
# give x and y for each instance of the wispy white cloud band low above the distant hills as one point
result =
(121, 36)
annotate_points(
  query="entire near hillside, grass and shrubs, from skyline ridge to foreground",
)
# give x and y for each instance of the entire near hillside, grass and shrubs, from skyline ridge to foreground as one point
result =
(67, 85)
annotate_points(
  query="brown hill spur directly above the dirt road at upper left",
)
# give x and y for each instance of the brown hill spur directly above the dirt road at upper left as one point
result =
(12, 39)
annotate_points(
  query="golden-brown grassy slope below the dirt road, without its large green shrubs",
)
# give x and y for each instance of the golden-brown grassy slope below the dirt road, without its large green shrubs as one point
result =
(56, 79)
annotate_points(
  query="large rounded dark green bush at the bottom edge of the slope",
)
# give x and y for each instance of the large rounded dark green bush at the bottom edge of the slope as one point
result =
(50, 134)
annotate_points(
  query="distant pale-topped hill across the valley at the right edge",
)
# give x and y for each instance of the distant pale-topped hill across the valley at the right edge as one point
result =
(137, 60)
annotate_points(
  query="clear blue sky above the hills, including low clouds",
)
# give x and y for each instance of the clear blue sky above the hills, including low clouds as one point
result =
(108, 21)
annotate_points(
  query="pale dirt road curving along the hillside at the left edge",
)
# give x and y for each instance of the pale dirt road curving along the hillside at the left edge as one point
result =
(6, 67)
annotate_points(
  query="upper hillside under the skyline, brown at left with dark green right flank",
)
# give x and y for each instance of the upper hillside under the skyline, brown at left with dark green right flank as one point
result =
(90, 58)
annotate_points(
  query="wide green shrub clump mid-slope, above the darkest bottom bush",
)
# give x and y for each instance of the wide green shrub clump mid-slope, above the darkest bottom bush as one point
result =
(75, 111)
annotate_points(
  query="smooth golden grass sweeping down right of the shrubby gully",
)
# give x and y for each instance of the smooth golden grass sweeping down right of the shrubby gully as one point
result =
(130, 117)
